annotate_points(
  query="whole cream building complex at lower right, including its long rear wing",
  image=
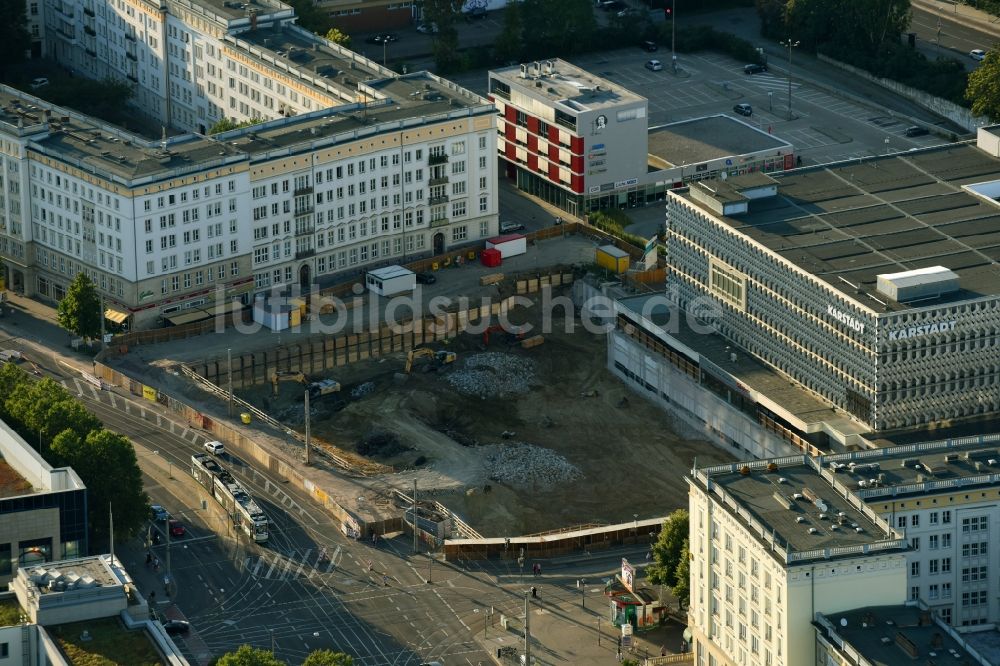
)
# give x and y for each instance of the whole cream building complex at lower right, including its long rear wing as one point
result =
(936, 501)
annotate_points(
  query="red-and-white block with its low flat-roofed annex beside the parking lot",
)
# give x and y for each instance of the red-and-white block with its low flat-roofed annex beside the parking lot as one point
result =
(583, 143)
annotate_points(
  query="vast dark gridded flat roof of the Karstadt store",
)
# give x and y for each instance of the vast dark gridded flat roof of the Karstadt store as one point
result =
(848, 222)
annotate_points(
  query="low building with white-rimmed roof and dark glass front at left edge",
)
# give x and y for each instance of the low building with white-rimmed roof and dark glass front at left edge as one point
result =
(43, 511)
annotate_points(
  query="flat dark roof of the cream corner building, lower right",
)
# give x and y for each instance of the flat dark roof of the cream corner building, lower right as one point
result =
(808, 517)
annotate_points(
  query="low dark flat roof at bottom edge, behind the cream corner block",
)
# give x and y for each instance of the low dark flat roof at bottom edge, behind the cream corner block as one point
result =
(879, 634)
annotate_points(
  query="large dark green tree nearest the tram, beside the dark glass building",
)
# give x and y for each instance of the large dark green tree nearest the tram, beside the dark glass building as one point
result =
(107, 465)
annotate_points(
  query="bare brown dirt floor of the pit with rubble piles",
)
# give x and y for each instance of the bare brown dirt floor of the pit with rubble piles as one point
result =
(568, 460)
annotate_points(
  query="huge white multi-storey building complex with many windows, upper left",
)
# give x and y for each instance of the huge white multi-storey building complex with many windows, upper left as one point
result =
(353, 165)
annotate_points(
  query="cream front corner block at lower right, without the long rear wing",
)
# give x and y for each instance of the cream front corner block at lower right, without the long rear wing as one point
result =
(772, 544)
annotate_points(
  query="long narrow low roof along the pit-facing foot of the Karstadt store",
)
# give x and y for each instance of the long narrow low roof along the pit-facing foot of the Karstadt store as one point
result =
(796, 401)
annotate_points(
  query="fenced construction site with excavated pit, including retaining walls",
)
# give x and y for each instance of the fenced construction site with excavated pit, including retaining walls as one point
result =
(516, 429)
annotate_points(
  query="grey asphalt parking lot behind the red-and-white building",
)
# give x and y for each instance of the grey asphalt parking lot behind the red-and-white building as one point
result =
(824, 127)
